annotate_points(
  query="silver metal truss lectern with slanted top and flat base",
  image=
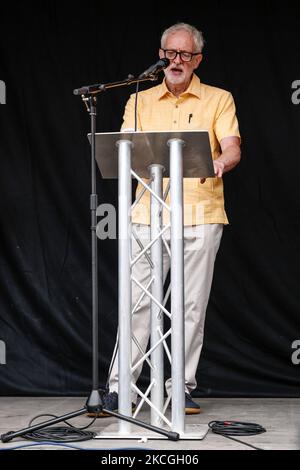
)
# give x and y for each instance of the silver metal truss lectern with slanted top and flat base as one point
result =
(153, 155)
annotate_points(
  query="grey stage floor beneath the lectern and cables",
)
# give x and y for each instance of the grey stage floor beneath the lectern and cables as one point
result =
(280, 417)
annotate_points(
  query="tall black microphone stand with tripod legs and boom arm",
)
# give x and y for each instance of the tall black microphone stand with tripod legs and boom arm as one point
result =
(94, 403)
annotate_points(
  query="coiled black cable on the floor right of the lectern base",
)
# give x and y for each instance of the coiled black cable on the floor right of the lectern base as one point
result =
(236, 428)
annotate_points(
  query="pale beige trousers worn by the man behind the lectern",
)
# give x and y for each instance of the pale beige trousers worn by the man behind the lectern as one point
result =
(201, 244)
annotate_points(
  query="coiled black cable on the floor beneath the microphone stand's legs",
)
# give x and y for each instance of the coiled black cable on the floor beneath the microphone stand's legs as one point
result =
(60, 433)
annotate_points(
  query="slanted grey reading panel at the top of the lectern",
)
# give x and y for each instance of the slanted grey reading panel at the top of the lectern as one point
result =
(150, 148)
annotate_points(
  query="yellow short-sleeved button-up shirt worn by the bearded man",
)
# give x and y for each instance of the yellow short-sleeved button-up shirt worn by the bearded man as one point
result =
(200, 107)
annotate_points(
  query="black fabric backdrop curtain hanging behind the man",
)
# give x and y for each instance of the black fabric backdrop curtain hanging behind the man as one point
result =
(51, 48)
